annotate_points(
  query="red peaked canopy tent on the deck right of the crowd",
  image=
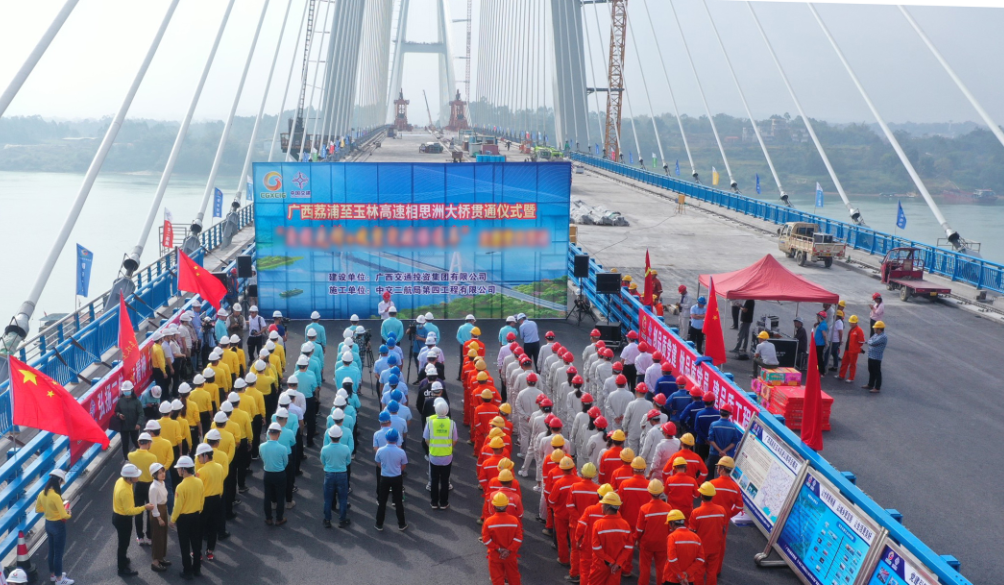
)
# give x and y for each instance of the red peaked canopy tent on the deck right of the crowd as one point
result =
(769, 280)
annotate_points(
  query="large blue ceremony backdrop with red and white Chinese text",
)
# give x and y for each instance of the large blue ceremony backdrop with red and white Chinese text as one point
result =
(489, 239)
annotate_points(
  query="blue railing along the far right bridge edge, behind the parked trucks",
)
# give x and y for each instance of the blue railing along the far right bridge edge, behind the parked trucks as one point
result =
(958, 267)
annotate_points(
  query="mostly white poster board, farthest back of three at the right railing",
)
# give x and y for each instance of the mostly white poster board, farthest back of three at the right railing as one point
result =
(767, 471)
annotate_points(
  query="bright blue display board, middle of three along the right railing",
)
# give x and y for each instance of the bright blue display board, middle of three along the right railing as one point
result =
(825, 536)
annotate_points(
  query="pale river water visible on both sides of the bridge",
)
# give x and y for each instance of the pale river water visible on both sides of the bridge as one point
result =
(34, 207)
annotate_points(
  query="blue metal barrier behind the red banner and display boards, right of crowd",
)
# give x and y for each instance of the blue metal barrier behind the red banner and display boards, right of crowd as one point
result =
(625, 309)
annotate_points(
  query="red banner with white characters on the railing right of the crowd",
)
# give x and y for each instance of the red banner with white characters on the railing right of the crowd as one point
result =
(683, 359)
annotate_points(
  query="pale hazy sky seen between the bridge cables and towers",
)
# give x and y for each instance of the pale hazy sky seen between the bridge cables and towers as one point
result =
(93, 61)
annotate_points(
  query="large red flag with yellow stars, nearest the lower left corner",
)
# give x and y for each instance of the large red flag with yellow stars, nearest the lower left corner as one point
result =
(43, 404)
